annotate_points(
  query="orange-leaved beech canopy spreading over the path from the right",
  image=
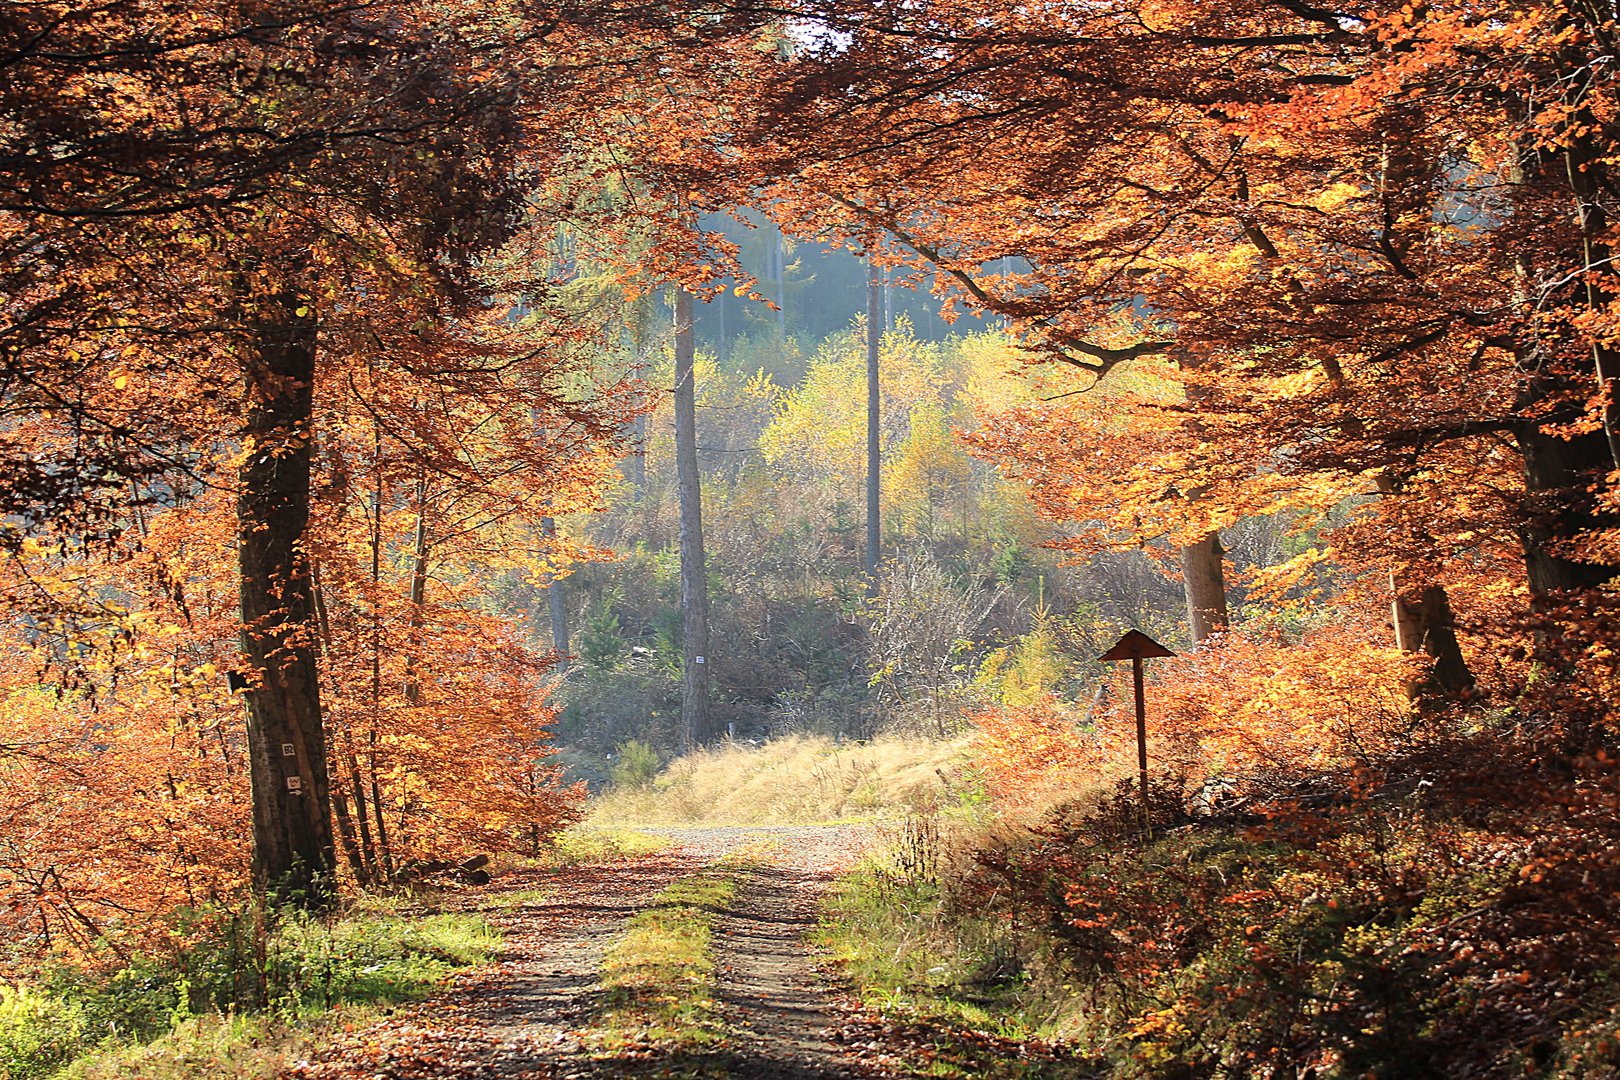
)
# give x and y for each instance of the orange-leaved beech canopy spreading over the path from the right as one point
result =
(1360, 276)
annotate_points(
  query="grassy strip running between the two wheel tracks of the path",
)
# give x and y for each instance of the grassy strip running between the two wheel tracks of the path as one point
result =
(659, 980)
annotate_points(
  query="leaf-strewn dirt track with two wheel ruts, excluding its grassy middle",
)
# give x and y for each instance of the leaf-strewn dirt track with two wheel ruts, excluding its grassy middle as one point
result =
(527, 1014)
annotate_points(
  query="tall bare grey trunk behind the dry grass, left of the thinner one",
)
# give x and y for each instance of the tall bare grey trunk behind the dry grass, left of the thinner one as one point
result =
(694, 580)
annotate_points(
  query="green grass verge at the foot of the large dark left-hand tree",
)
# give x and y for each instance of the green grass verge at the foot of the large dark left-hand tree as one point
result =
(226, 1006)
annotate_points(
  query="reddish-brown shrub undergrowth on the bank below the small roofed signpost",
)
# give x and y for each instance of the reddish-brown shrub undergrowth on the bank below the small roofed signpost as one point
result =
(1373, 929)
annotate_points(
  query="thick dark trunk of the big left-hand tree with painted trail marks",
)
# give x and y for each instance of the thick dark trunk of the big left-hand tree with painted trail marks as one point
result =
(294, 857)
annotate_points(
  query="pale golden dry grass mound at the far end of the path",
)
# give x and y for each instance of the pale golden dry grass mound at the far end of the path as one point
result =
(795, 781)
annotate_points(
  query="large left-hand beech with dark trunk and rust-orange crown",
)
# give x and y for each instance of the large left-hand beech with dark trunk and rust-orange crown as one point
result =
(236, 205)
